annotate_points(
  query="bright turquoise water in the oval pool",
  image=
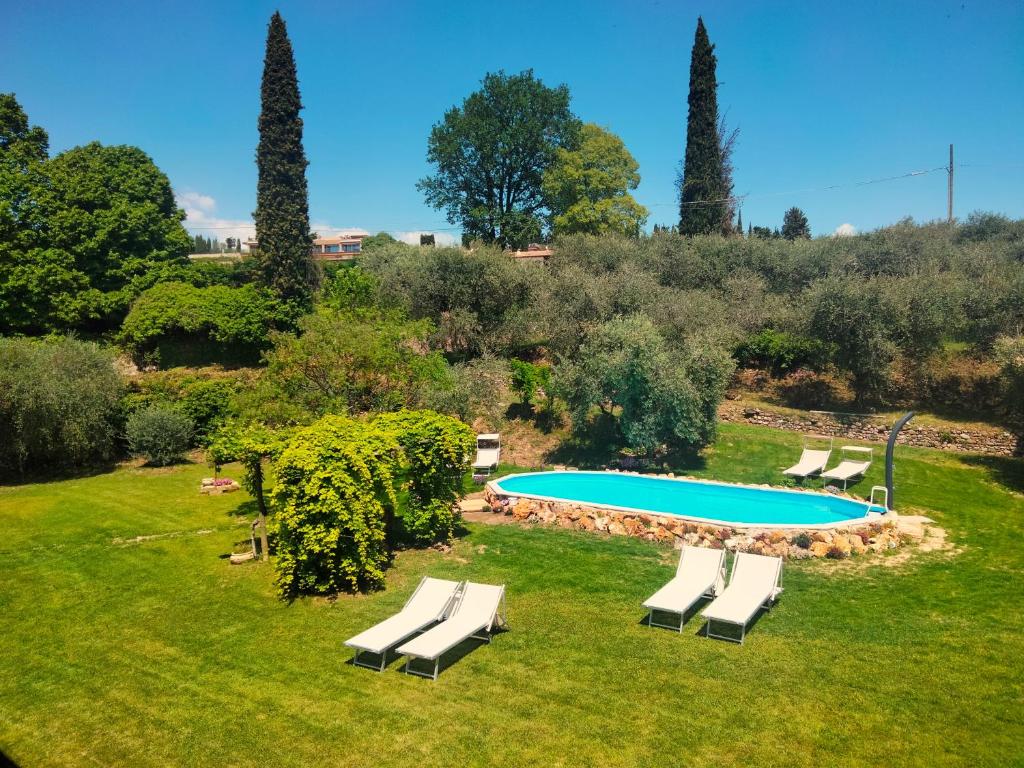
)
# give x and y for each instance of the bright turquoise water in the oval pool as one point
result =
(734, 504)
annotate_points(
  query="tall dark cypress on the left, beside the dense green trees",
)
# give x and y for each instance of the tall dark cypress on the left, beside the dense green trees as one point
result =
(282, 203)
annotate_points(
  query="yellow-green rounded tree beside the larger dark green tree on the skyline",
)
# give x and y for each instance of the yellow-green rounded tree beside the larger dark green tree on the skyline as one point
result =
(588, 189)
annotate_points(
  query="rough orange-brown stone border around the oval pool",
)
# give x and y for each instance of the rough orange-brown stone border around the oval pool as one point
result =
(861, 536)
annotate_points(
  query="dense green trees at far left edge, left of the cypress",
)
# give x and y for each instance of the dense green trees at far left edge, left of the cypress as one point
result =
(81, 234)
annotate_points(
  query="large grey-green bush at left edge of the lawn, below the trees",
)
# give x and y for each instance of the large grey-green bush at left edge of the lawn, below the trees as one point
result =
(60, 404)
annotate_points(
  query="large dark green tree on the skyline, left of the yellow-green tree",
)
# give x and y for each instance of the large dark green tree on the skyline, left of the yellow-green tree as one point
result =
(491, 155)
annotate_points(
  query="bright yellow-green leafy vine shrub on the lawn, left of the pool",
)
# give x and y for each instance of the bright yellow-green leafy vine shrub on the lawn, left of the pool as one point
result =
(337, 489)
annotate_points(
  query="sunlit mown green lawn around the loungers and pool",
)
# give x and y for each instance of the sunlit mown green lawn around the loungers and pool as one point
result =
(157, 653)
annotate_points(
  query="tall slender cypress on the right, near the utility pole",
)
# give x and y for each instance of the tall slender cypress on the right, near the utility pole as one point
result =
(703, 173)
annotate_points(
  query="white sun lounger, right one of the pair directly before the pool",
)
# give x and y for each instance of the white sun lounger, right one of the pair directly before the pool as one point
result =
(756, 583)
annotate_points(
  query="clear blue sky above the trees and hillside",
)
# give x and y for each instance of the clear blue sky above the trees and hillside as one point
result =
(824, 94)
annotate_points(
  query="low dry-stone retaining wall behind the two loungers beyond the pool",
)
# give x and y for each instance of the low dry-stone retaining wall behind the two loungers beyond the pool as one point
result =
(993, 442)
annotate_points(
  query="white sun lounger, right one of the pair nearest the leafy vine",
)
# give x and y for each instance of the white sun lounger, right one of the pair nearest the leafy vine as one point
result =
(478, 610)
